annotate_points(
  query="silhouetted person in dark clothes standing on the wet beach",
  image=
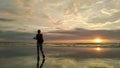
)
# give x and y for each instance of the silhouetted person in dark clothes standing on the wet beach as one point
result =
(39, 38)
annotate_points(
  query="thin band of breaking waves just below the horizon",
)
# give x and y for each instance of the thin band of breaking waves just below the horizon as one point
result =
(3, 44)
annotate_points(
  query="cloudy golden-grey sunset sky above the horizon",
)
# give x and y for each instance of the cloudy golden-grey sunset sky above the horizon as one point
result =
(60, 20)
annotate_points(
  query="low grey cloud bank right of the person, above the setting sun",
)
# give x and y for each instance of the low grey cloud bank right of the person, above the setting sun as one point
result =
(83, 34)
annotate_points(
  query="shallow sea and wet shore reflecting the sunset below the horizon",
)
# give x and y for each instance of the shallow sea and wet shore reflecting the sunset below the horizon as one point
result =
(60, 55)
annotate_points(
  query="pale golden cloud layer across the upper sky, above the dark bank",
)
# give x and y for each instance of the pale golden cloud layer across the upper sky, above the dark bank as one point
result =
(59, 14)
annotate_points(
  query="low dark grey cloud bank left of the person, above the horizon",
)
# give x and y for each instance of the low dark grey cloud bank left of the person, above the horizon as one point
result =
(12, 35)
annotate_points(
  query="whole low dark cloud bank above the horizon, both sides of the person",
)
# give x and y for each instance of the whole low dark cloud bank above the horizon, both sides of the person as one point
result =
(76, 34)
